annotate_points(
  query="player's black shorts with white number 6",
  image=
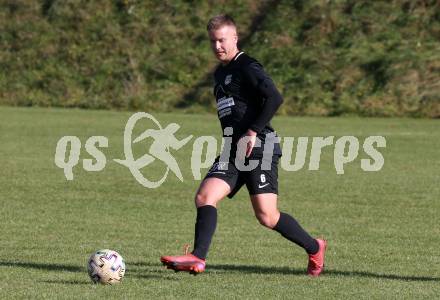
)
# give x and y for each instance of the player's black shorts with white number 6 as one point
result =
(258, 181)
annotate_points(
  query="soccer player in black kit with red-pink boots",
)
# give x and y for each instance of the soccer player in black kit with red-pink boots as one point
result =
(247, 99)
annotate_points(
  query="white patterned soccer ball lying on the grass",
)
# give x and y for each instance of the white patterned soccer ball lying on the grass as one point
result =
(106, 267)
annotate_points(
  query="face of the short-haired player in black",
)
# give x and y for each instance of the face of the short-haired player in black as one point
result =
(224, 43)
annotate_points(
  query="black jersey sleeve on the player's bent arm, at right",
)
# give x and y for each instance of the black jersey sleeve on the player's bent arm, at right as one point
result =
(265, 86)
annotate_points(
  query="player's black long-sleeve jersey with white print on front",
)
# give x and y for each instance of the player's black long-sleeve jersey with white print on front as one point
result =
(247, 99)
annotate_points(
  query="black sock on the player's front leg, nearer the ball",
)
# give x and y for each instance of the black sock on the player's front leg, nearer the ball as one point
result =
(205, 228)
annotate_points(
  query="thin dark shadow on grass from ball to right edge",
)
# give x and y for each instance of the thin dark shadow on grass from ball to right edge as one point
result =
(290, 271)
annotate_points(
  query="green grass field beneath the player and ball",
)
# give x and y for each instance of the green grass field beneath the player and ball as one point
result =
(382, 227)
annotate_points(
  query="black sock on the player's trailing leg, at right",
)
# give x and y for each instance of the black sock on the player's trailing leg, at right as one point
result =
(289, 228)
